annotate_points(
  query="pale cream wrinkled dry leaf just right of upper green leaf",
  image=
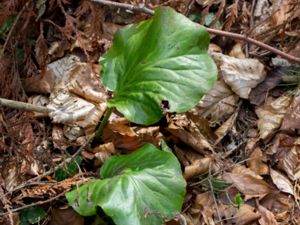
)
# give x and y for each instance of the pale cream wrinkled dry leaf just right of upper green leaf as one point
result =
(242, 75)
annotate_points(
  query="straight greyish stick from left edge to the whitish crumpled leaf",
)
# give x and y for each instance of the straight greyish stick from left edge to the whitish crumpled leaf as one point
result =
(23, 106)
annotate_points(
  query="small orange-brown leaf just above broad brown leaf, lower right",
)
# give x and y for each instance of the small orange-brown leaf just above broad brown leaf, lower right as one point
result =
(257, 162)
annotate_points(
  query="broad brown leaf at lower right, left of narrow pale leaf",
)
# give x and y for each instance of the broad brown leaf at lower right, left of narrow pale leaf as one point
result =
(248, 185)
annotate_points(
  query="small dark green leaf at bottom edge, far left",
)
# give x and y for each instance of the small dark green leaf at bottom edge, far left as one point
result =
(32, 215)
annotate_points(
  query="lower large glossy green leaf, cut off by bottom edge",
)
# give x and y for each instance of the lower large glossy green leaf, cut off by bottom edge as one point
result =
(141, 188)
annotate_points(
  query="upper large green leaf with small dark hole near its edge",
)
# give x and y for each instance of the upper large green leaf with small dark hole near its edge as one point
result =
(161, 60)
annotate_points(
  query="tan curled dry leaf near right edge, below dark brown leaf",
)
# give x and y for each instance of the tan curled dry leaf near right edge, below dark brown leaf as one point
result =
(271, 114)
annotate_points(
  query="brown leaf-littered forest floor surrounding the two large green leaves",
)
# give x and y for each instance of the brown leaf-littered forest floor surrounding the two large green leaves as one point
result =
(238, 148)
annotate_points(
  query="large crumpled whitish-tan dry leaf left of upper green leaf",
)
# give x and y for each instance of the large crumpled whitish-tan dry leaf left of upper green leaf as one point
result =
(77, 96)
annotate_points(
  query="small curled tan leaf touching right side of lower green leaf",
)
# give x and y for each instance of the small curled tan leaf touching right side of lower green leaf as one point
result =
(197, 167)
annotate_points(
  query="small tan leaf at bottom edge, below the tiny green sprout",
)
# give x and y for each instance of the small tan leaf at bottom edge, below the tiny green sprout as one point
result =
(246, 214)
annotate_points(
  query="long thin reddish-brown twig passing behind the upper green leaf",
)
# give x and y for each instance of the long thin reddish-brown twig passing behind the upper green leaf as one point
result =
(210, 30)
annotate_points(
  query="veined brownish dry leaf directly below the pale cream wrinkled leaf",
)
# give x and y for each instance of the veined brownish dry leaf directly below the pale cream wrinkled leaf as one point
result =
(218, 104)
